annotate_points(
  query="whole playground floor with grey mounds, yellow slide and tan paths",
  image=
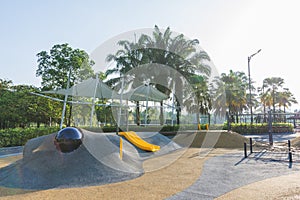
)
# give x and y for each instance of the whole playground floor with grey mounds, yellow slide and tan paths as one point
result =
(98, 170)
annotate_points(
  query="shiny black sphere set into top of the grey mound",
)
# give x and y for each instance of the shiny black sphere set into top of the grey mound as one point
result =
(68, 139)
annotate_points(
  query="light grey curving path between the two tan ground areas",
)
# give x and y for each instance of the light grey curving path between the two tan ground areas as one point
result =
(222, 174)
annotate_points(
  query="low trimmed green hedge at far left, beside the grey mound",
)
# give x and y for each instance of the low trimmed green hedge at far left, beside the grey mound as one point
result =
(19, 136)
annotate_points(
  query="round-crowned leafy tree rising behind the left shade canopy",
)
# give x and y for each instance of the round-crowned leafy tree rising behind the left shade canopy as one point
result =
(62, 61)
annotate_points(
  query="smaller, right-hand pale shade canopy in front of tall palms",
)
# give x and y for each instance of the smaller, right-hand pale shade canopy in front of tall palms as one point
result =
(145, 93)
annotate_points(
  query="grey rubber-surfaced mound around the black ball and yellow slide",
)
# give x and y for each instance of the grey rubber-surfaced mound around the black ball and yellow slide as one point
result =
(97, 161)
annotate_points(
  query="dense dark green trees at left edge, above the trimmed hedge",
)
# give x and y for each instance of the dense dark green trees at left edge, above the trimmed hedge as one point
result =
(20, 108)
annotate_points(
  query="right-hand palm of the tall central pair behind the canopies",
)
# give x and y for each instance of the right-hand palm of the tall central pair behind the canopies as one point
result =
(180, 54)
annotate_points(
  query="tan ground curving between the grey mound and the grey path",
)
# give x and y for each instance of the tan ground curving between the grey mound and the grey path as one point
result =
(158, 184)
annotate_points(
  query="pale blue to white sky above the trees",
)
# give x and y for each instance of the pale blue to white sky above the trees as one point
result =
(228, 30)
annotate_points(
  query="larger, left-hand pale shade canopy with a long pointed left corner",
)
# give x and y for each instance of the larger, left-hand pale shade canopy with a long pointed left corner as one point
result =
(89, 88)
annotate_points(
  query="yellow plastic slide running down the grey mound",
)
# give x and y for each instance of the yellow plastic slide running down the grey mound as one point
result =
(139, 142)
